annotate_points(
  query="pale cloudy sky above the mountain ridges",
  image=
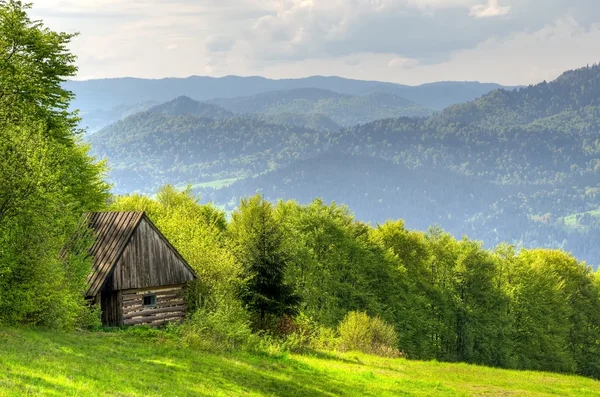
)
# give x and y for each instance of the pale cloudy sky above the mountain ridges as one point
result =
(510, 42)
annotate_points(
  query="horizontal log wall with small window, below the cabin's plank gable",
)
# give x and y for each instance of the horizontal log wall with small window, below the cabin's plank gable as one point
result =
(168, 305)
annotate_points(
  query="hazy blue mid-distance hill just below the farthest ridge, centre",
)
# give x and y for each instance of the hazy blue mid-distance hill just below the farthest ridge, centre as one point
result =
(343, 109)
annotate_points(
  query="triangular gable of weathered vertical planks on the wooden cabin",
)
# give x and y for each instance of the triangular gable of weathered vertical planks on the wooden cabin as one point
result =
(148, 261)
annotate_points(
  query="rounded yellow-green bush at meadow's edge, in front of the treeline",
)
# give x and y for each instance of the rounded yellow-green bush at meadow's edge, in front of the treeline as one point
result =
(359, 332)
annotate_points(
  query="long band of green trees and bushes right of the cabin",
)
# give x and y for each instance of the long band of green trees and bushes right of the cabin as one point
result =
(429, 295)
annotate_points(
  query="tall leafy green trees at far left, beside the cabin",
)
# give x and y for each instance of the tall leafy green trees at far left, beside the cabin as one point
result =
(48, 179)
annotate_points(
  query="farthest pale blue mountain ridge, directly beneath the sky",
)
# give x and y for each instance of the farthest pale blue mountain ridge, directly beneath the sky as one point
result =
(108, 93)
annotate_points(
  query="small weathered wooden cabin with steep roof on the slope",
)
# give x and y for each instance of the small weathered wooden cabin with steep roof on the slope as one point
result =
(137, 276)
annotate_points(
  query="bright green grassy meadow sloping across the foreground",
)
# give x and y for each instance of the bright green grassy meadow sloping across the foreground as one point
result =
(125, 364)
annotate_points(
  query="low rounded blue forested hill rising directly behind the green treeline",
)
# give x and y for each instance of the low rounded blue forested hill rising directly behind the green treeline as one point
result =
(377, 188)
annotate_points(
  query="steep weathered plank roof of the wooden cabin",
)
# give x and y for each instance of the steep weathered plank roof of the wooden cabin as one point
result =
(113, 231)
